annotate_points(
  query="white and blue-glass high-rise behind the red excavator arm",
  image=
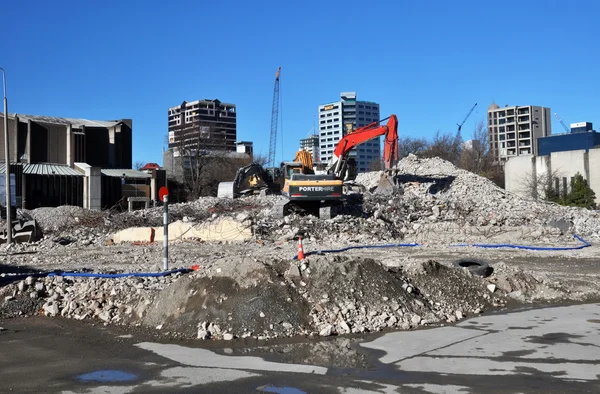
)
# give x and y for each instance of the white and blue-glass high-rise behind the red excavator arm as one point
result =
(342, 117)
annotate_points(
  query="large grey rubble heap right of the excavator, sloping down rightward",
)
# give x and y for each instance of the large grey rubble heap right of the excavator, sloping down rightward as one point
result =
(437, 195)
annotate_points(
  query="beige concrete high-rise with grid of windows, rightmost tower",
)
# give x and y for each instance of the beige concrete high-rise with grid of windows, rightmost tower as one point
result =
(513, 131)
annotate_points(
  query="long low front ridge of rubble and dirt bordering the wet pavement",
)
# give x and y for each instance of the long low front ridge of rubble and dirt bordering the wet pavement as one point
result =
(262, 299)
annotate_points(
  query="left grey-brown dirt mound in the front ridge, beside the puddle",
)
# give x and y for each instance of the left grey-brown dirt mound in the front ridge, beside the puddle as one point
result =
(258, 305)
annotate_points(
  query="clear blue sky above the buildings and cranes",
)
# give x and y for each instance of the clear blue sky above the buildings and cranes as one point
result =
(426, 61)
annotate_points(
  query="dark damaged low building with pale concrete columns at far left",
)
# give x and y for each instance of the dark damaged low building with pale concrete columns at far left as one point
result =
(66, 161)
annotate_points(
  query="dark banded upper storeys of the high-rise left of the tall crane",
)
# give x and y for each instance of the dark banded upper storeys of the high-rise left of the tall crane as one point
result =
(203, 124)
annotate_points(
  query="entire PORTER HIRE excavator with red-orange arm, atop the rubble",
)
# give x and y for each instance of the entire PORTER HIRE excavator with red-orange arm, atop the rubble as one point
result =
(323, 193)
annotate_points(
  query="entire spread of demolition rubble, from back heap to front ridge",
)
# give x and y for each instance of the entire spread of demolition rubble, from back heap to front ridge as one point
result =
(252, 288)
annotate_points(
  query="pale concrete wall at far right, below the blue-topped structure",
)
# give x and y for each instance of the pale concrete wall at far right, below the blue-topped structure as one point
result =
(562, 165)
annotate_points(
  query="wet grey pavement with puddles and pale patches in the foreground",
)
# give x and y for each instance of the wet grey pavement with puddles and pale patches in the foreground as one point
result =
(529, 351)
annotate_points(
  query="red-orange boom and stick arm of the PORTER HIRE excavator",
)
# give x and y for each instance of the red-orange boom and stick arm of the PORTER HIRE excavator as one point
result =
(339, 159)
